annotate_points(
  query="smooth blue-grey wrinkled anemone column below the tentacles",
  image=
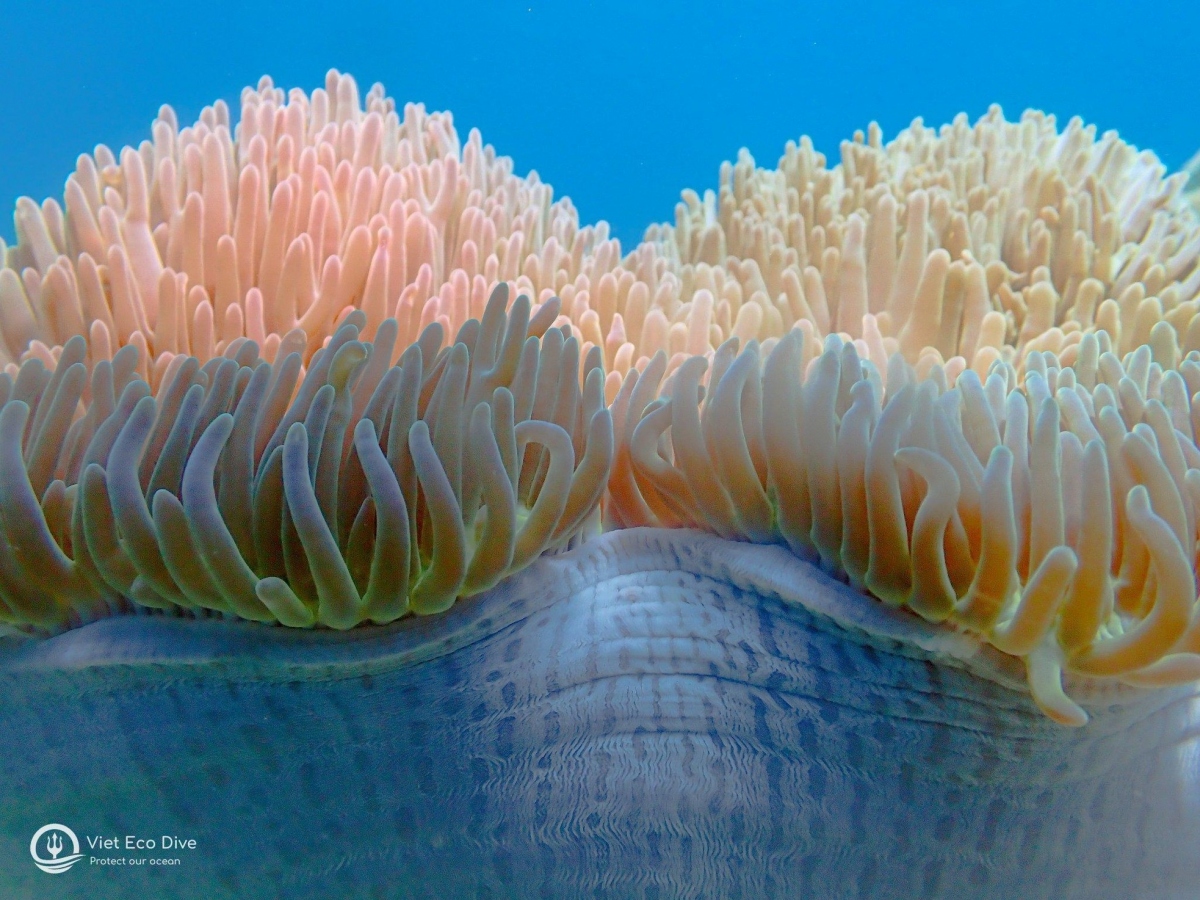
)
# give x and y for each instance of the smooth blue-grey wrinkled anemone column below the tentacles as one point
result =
(655, 713)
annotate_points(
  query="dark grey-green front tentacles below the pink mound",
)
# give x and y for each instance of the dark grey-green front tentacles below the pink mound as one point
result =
(355, 491)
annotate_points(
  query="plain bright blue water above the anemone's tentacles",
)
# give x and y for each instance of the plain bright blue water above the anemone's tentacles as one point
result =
(620, 105)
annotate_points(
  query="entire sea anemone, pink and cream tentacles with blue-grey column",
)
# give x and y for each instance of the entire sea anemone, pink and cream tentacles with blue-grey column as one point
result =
(935, 409)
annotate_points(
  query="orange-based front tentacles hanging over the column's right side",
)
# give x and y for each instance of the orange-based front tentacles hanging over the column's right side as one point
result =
(1070, 548)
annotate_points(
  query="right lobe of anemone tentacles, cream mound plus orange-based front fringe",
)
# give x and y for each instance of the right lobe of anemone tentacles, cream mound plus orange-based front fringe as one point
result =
(1031, 321)
